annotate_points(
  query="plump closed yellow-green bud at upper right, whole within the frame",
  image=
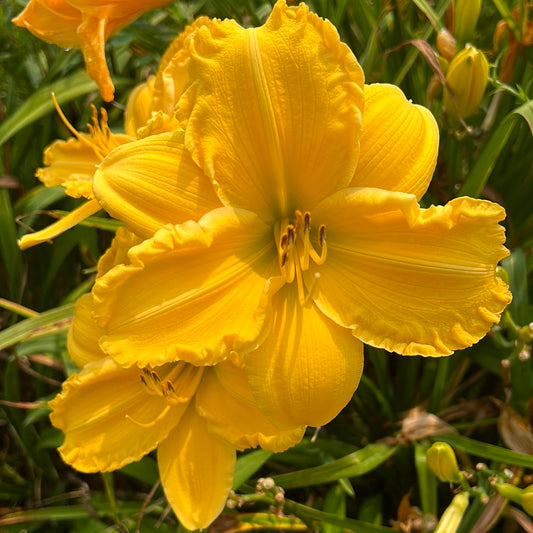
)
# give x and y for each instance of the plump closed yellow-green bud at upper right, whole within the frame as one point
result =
(466, 81)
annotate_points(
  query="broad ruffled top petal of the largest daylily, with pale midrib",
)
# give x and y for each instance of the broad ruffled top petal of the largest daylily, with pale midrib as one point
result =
(273, 114)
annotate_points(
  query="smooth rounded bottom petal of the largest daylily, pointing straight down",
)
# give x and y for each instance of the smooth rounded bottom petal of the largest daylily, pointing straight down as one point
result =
(308, 367)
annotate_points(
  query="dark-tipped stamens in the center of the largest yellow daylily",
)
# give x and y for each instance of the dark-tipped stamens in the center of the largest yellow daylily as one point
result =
(295, 251)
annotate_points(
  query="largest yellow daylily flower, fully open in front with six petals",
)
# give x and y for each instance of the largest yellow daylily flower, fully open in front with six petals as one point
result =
(320, 245)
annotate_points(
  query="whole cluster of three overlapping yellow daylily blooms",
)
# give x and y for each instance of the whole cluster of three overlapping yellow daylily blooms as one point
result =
(271, 227)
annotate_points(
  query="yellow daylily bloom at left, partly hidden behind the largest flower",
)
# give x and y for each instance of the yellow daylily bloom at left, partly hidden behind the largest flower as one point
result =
(149, 110)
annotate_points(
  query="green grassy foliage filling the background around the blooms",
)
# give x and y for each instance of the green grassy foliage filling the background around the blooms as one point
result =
(365, 471)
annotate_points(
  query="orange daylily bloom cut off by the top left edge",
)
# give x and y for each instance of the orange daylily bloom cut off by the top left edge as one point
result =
(86, 24)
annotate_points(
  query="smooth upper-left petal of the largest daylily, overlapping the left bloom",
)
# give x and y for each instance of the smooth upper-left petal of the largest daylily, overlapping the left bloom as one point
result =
(152, 182)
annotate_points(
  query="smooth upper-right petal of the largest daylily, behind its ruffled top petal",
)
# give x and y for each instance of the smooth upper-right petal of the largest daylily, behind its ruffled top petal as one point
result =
(399, 143)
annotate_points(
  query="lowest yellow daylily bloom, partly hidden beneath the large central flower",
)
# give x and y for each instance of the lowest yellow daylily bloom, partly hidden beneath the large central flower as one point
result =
(196, 417)
